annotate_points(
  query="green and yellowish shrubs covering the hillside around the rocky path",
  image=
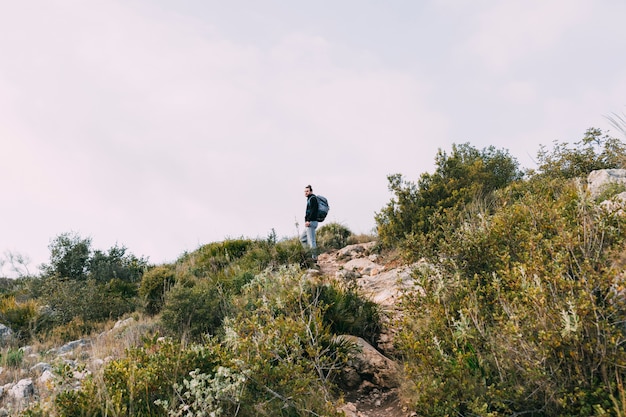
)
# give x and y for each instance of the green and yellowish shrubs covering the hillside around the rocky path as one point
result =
(518, 309)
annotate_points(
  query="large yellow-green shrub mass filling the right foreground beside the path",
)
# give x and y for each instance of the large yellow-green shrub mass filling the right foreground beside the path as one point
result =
(518, 312)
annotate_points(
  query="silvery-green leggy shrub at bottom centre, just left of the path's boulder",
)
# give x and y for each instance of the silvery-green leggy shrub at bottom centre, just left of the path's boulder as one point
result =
(279, 332)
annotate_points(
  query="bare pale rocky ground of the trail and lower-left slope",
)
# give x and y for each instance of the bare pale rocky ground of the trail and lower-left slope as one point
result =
(371, 383)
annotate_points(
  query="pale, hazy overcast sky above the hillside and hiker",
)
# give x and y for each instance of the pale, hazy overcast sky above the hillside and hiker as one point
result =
(164, 125)
